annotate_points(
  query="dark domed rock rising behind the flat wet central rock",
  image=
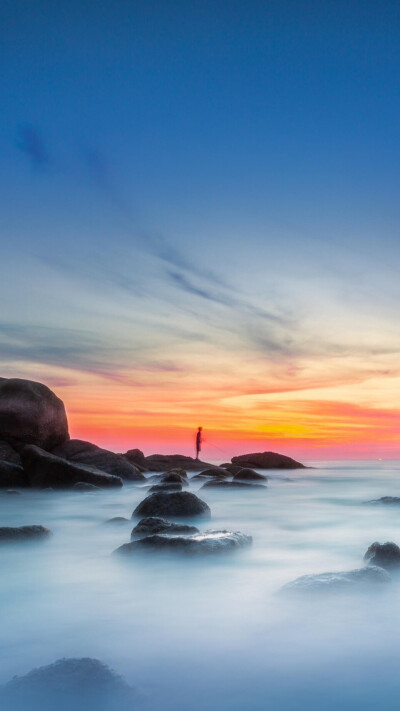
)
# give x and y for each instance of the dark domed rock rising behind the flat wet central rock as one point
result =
(181, 503)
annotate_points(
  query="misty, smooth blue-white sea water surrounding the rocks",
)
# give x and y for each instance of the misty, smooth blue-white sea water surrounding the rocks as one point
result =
(213, 632)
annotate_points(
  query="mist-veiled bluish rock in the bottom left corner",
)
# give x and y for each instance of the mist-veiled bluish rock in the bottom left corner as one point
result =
(78, 684)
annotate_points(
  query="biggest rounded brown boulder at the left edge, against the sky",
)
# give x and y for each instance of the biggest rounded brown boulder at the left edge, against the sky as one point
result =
(30, 413)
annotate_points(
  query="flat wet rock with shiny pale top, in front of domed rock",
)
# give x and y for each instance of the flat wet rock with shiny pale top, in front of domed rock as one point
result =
(205, 542)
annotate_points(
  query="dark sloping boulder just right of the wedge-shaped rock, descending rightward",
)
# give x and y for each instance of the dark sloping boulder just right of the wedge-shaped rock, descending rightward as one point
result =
(77, 450)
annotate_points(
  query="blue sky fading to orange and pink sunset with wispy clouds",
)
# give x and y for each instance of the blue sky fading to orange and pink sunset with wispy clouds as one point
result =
(200, 221)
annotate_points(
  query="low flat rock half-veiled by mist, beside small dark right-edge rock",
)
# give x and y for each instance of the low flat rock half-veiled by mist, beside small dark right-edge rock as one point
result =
(338, 582)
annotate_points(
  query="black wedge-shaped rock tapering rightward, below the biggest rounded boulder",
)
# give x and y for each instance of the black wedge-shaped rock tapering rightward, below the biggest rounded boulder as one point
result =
(46, 470)
